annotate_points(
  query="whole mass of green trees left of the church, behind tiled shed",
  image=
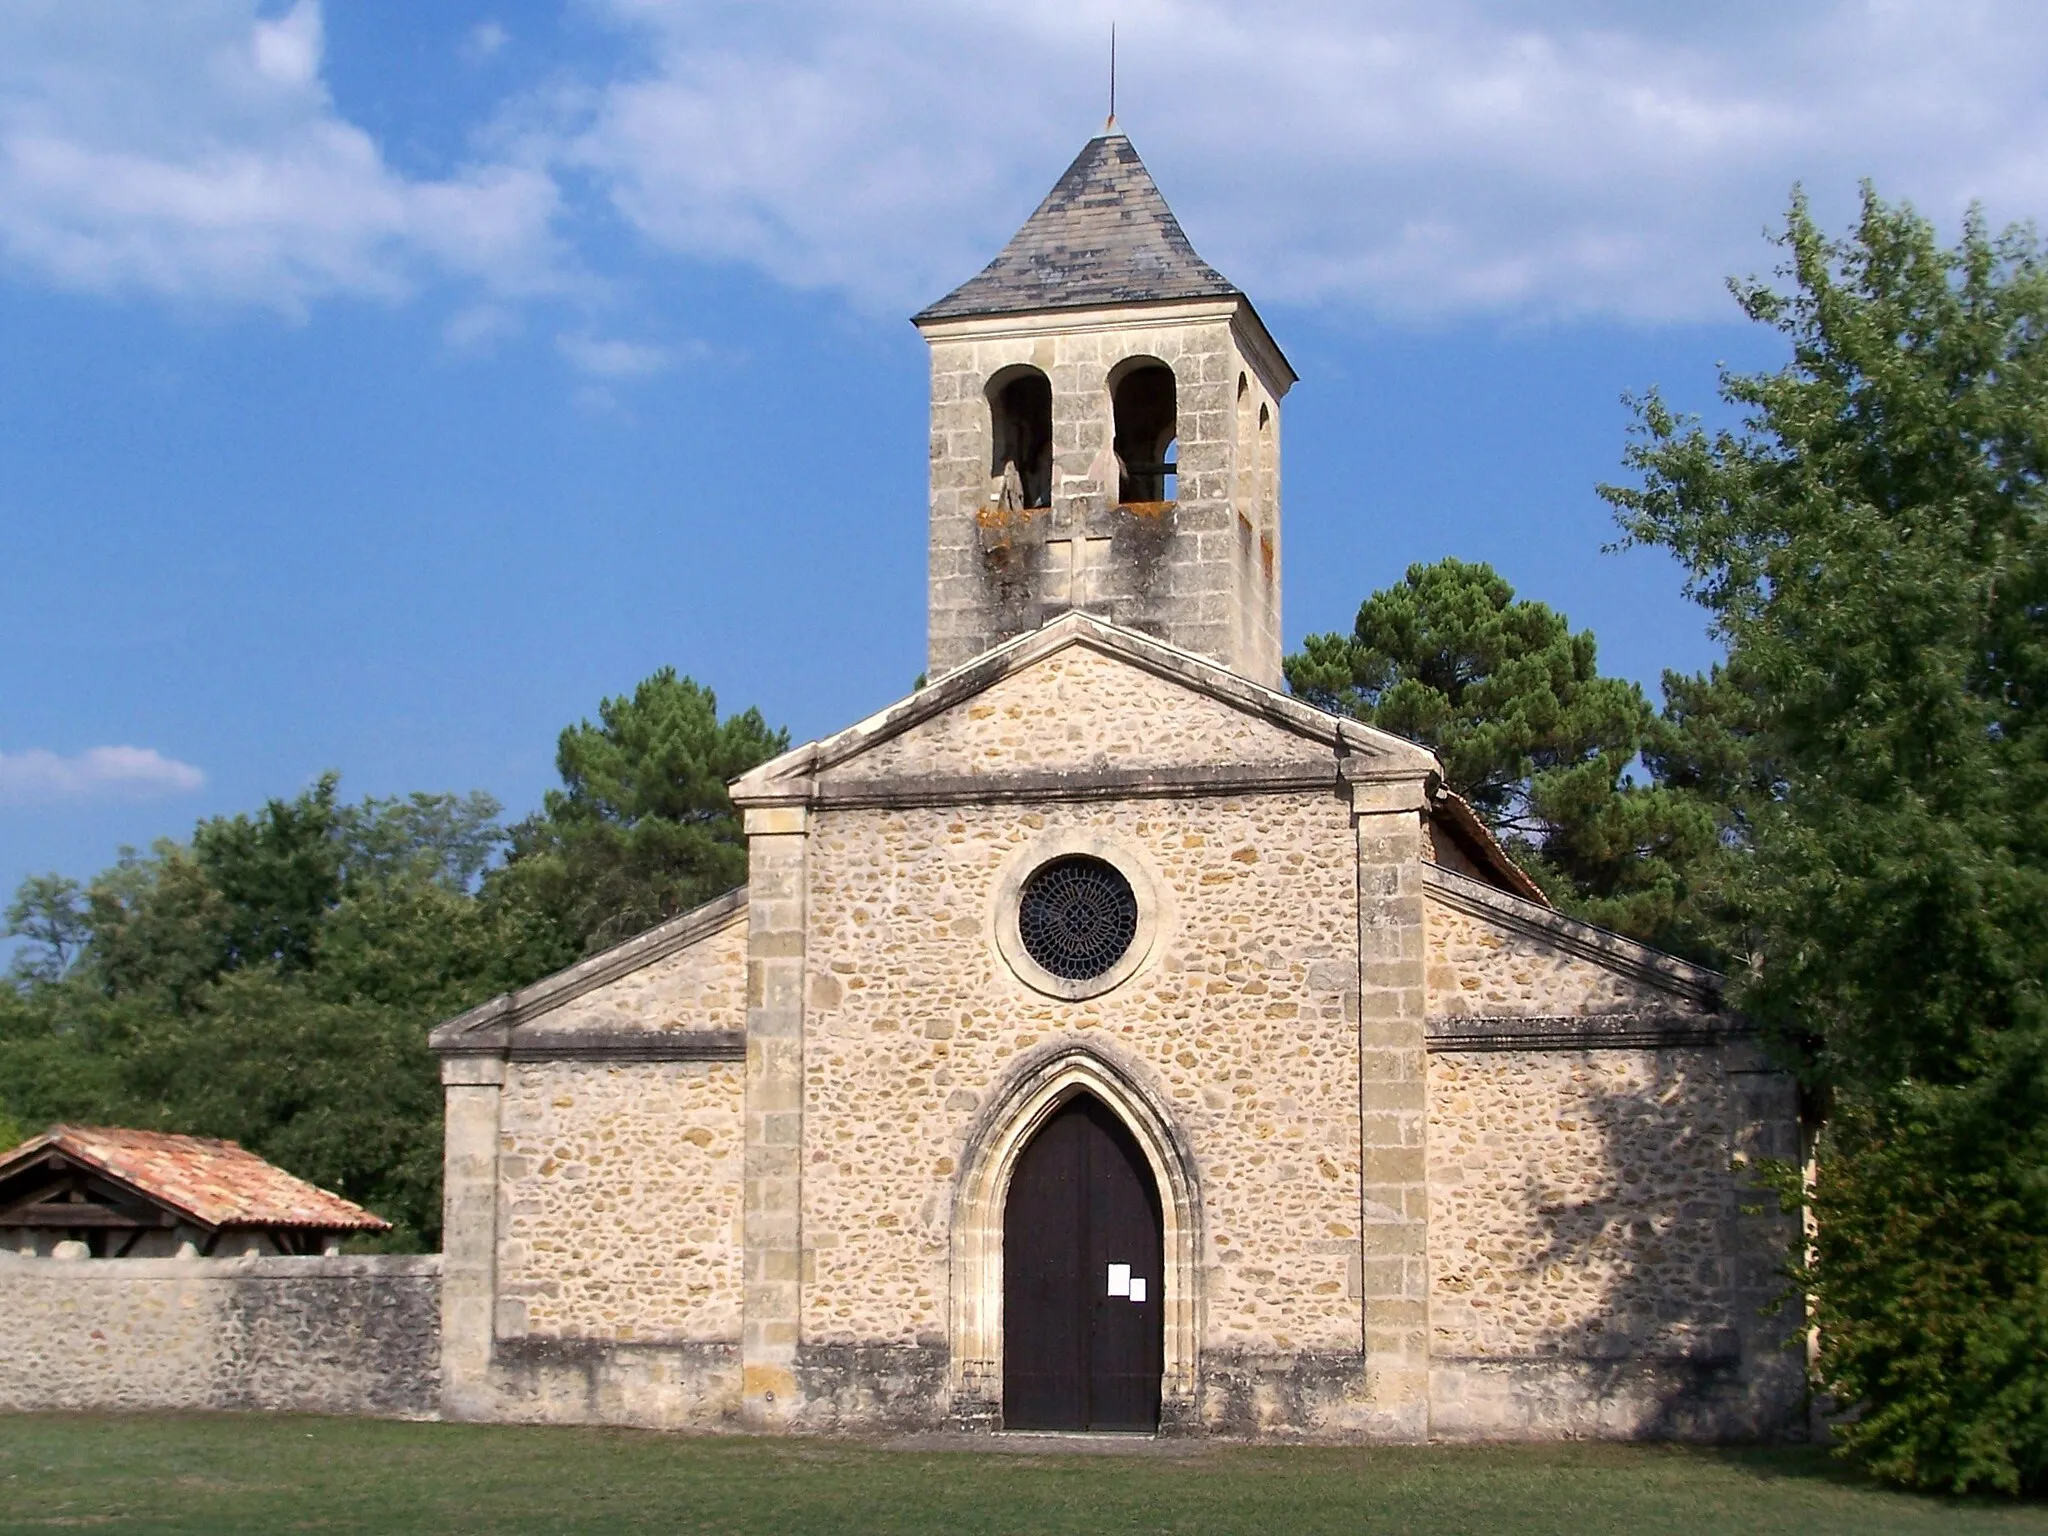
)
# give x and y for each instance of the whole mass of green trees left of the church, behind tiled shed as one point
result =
(273, 978)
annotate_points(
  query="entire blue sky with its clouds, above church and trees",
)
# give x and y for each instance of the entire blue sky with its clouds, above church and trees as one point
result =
(386, 384)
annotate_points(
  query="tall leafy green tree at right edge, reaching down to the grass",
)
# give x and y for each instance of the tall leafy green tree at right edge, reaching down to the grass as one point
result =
(1873, 554)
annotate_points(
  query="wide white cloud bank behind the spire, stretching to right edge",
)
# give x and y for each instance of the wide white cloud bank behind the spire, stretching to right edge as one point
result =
(1400, 157)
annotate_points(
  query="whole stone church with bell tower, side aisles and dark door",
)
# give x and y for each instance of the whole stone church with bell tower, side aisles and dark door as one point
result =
(1105, 1039)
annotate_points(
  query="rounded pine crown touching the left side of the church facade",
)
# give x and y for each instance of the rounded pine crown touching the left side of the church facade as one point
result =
(642, 826)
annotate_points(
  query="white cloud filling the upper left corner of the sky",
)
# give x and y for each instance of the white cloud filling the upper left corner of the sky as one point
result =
(196, 153)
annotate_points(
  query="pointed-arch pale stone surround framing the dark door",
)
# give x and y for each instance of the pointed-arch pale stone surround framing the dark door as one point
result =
(1037, 1089)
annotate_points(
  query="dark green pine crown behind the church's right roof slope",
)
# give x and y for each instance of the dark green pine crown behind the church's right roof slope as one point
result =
(1531, 734)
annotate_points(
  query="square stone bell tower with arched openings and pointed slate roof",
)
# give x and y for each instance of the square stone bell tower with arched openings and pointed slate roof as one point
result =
(1105, 433)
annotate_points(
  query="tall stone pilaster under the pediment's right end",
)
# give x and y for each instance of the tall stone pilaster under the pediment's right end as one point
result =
(1394, 1105)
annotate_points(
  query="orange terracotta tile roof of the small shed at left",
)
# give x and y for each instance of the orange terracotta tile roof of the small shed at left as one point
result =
(214, 1183)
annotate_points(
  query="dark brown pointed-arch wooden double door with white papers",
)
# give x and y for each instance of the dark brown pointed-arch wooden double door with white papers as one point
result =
(1082, 1279)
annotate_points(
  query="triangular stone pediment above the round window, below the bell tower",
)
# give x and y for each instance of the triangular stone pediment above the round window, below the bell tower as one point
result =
(1084, 697)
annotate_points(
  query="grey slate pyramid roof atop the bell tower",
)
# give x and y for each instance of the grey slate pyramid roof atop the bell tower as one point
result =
(1101, 239)
